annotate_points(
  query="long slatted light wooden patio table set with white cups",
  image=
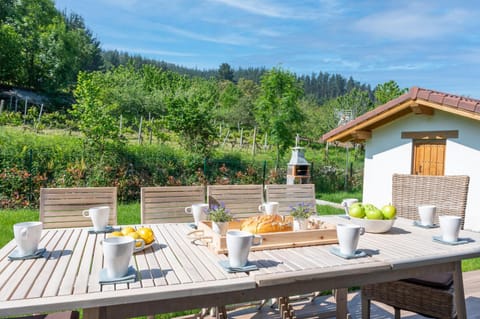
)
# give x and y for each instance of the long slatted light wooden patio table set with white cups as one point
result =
(175, 274)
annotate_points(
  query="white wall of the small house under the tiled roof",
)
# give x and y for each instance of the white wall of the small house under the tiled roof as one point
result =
(387, 153)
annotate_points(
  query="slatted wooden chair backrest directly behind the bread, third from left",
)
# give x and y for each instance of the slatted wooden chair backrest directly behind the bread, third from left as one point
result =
(241, 200)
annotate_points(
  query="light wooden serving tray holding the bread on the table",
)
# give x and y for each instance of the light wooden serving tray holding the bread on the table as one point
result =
(276, 240)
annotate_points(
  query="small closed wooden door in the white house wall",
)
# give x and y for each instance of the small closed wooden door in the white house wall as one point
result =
(428, 157)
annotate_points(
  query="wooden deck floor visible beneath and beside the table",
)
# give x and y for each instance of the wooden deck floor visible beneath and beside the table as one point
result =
(306, 309)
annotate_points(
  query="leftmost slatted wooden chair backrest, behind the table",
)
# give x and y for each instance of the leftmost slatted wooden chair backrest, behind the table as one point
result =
(62, 207)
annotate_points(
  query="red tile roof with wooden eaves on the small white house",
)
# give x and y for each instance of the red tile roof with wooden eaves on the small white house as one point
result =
(454, 102)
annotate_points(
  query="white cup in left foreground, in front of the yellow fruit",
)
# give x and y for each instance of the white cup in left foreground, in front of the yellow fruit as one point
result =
(117, 252)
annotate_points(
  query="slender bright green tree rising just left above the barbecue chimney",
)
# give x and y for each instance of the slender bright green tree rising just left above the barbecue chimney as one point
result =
(277, 110)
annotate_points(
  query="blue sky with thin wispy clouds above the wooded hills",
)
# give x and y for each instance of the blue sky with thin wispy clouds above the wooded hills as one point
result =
(430, 44)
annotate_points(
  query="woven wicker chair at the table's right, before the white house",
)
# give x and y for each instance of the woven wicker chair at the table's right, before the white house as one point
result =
(432, 294)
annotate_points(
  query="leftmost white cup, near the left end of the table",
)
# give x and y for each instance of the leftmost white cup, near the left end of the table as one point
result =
(27, 236)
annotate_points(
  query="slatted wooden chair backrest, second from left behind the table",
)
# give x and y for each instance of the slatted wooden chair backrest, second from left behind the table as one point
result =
(166, 204)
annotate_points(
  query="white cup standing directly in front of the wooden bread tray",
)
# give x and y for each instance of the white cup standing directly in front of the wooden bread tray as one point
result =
(238, 245)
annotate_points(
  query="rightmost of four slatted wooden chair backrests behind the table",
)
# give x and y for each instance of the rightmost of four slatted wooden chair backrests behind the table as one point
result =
(291, 195)
